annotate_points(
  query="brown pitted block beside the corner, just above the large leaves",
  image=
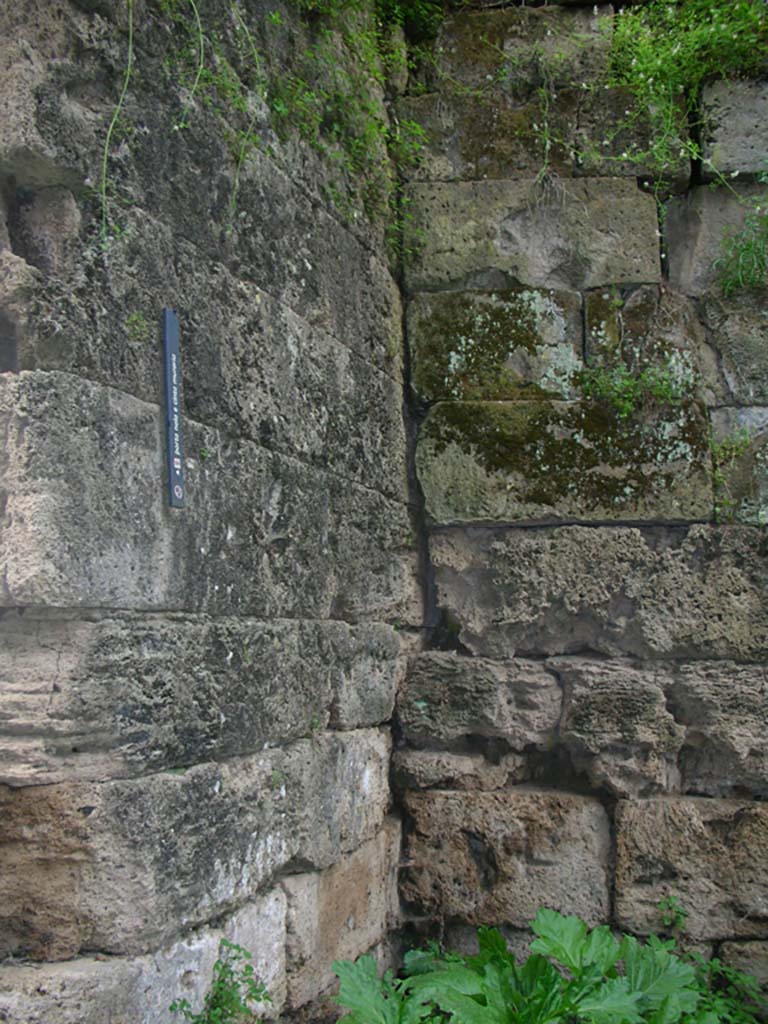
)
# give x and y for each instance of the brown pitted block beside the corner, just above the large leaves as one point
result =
(486, 859)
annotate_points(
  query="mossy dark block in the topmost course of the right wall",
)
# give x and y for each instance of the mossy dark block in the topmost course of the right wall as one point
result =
(519, 50)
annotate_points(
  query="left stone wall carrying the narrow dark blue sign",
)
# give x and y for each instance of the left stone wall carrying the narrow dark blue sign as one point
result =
(194, 703)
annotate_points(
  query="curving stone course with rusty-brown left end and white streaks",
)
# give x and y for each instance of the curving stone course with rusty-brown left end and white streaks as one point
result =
(124, 867)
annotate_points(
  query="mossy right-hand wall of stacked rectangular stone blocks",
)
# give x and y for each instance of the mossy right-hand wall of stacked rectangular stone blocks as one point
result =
(587, 728)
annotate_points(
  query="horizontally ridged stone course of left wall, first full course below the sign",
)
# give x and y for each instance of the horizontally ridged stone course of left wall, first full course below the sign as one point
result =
(99, 699)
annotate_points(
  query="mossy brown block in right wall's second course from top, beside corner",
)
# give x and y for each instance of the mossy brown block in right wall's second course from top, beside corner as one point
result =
(490, 135)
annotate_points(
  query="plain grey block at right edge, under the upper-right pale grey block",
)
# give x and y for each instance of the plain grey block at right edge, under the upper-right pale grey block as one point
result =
(697, 226)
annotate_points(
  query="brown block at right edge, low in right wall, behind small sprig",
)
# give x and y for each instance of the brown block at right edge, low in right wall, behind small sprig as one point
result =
(706, 852)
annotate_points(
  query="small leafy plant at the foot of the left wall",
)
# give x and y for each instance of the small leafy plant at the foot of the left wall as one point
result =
(234, 992)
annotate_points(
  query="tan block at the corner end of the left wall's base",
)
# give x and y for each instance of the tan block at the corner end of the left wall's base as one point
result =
(342, 913)
